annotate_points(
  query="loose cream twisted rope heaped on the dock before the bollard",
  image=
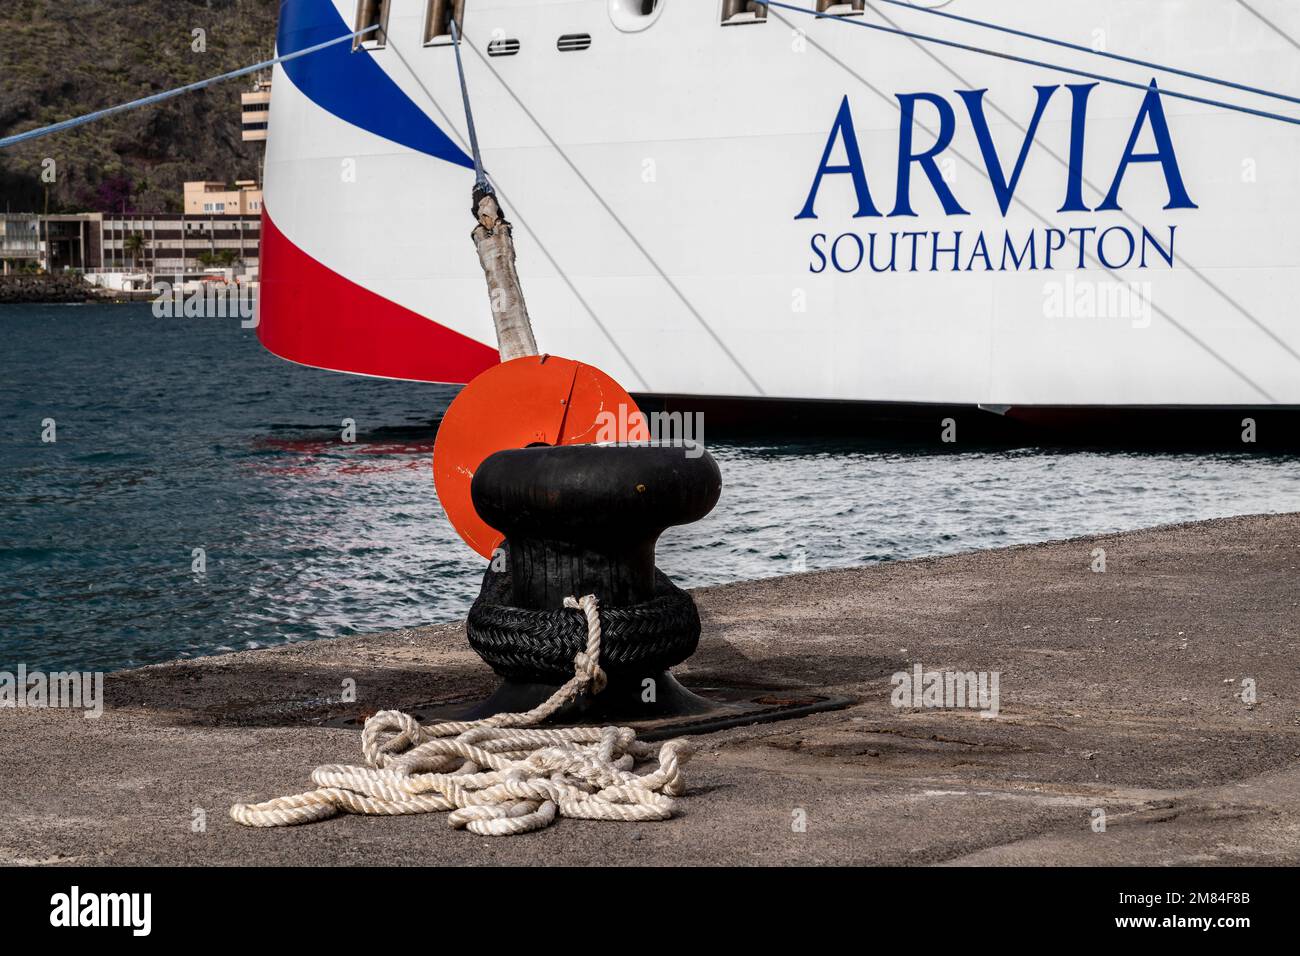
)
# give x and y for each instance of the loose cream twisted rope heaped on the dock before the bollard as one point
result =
(501, 776)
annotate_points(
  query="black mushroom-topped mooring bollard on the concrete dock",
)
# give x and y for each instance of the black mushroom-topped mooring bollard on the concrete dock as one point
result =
(584, 520)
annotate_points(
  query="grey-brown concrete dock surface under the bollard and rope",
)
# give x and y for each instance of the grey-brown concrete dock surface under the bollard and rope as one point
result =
(1126, 694)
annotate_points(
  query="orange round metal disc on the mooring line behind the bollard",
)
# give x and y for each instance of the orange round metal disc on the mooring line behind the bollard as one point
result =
(535, 400)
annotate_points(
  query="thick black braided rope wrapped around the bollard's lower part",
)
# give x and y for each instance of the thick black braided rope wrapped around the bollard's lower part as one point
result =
(539, 646)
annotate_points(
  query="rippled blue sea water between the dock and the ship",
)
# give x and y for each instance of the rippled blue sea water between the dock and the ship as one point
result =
(183, 434)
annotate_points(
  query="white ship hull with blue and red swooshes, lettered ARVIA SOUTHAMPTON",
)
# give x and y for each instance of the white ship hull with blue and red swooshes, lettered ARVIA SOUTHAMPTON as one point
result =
(657, 181)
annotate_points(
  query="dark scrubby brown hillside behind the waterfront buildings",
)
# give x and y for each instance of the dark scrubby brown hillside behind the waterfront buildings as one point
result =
(66, 58)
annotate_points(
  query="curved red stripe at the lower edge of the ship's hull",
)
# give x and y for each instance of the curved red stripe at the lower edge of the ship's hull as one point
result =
(311, 315)
